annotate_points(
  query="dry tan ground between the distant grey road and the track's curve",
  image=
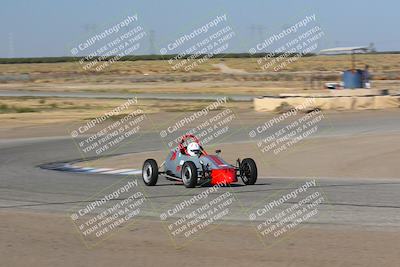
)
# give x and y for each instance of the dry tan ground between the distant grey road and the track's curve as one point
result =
(70, 113)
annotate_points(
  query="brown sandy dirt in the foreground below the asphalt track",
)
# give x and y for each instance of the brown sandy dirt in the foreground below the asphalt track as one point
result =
(30, 239)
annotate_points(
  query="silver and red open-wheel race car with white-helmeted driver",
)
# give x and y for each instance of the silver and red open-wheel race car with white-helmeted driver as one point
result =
(190, 164)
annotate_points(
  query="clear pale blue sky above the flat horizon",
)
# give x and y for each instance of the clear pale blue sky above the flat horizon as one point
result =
(51, 28)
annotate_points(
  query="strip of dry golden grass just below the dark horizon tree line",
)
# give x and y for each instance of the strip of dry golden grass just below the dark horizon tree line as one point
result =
(378, 62)
